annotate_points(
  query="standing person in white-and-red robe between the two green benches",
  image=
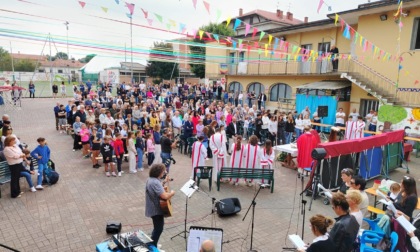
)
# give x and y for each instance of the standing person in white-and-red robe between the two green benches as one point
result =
(218, 147)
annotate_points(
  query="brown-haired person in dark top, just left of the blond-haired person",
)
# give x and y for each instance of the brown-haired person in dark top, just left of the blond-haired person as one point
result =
(345, 229)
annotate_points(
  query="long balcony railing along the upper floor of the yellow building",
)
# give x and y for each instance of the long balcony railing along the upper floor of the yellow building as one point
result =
(286, 67)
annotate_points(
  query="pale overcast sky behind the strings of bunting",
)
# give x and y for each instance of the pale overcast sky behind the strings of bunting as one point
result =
(102, 26)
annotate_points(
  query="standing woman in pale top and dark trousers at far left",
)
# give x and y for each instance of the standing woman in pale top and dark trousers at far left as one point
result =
(14, 157)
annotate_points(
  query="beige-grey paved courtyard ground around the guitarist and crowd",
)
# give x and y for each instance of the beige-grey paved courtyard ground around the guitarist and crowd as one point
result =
(71, 215)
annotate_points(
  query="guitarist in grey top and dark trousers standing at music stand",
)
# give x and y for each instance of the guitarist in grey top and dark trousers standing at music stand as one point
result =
(154, 192)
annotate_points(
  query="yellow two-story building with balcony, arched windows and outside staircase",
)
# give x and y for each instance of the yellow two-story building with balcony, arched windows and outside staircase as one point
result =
(300, 70)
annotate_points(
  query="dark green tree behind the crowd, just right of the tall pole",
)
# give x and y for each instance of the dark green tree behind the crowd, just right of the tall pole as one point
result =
(162, 62)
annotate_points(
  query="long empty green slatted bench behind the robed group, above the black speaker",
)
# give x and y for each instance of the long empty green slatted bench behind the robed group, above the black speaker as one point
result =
(246, 173)
